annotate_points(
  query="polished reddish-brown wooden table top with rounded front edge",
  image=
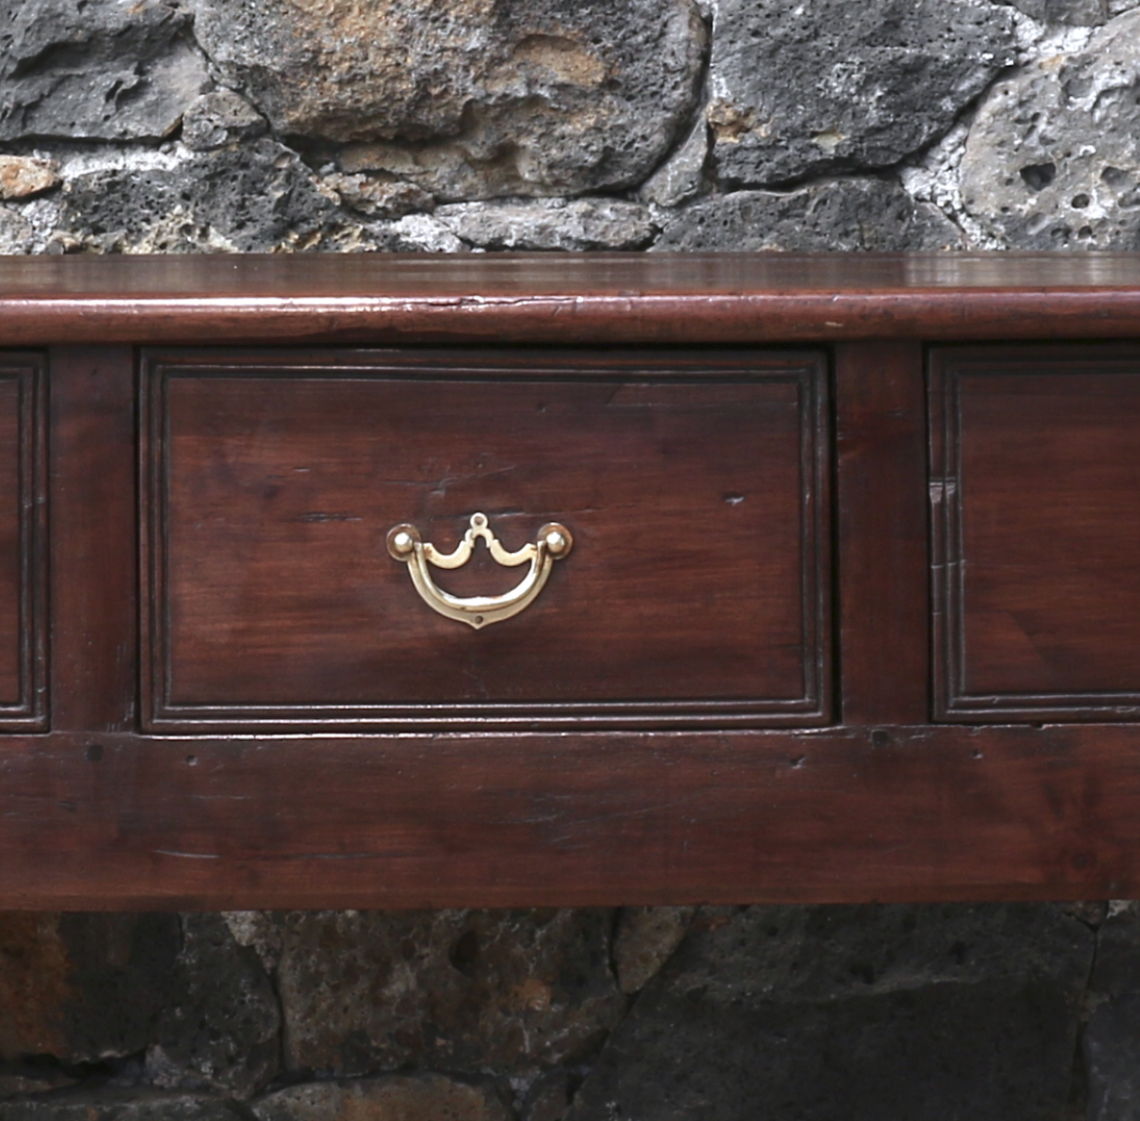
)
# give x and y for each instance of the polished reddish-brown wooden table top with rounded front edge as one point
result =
(572, 299)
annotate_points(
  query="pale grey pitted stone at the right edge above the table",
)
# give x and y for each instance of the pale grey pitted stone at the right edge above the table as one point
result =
(1053, 160)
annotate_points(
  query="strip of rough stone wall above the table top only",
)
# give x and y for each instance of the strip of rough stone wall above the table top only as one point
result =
(183, 126)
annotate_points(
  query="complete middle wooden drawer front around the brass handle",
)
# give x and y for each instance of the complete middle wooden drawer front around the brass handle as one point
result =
(694, 489)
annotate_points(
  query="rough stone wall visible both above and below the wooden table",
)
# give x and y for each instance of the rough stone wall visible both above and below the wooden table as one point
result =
(240, 126)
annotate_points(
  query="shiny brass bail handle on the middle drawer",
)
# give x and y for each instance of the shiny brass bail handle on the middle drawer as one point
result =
(406, 546)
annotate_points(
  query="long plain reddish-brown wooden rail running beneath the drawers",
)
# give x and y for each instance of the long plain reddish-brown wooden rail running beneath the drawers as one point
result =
(517, 821)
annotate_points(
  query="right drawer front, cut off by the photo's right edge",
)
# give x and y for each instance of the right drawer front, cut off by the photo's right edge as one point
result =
(1036, 461)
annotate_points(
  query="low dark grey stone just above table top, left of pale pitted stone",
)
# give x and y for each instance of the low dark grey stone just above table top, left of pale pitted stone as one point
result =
(842, 215)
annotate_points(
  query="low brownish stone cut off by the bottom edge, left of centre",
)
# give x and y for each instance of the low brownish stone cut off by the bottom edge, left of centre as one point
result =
(416, 1098)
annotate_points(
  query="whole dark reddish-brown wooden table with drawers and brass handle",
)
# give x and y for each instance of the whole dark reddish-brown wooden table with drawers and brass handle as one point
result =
(852, 610)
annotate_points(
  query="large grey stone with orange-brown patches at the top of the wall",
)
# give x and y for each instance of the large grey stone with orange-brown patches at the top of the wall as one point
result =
(511, 98)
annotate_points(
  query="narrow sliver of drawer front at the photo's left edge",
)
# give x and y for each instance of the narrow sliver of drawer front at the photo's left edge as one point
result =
(23, 563)
